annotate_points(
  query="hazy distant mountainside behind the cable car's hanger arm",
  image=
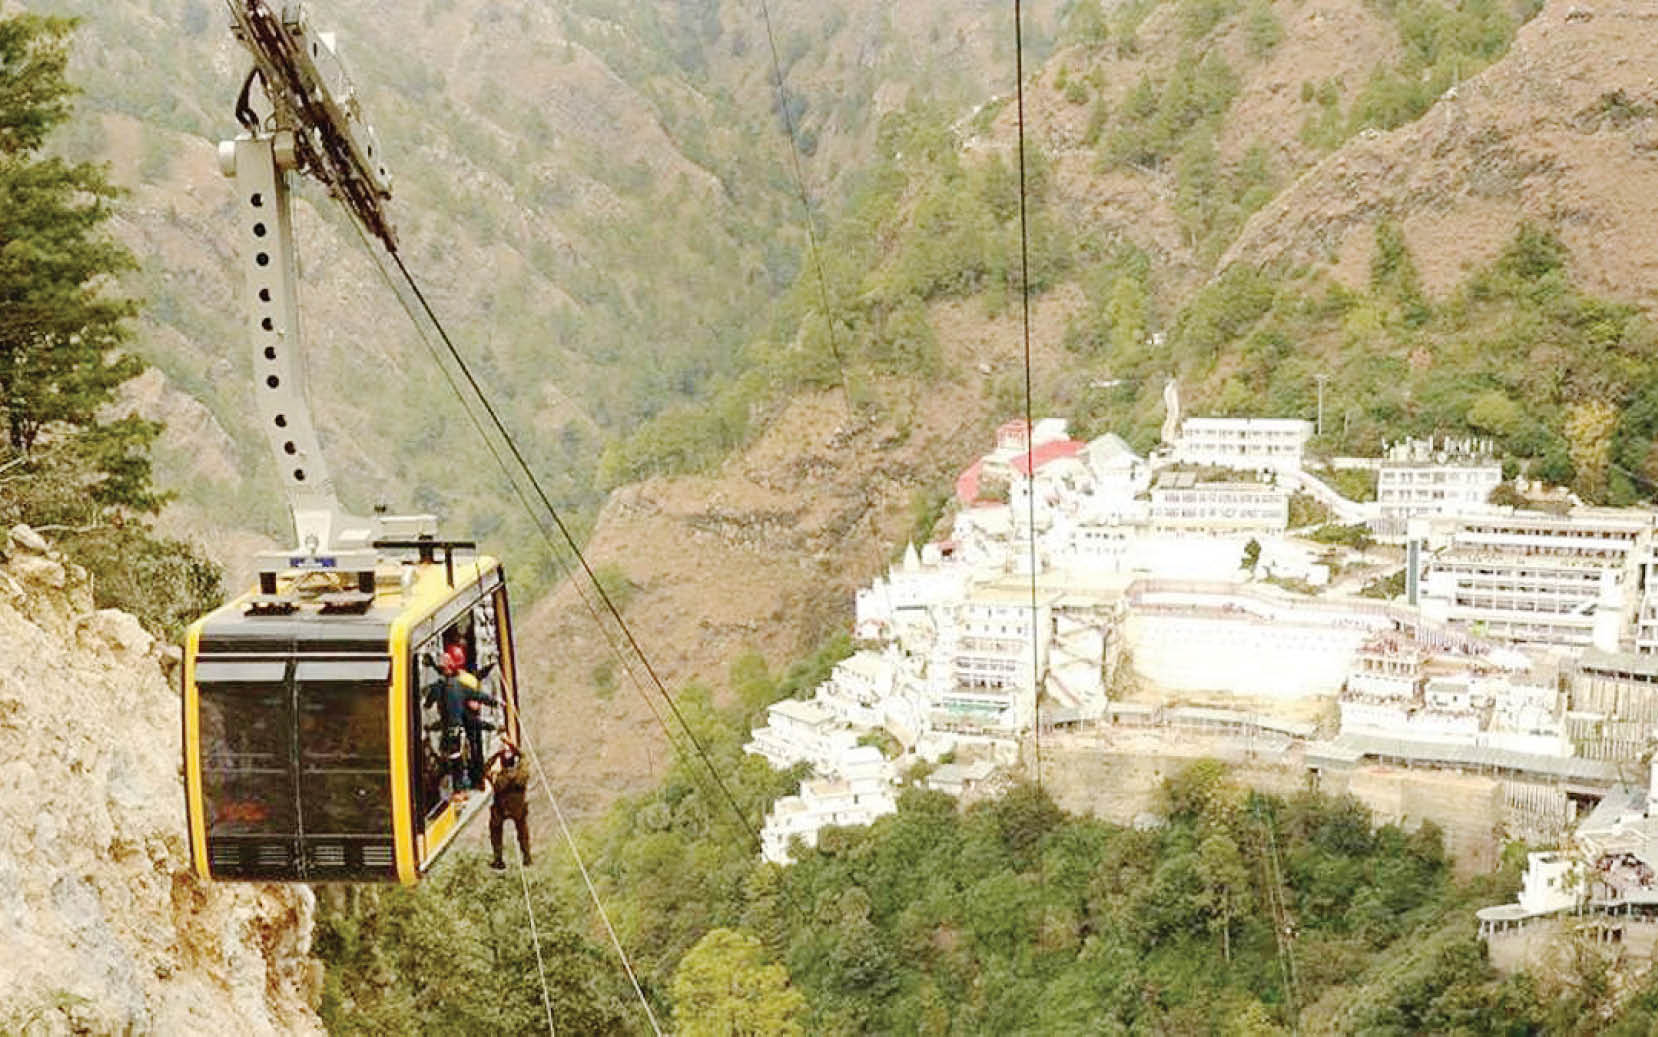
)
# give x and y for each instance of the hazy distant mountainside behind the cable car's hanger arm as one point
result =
(599, 198)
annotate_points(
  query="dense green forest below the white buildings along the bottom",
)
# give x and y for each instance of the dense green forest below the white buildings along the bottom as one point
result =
(1243, 913)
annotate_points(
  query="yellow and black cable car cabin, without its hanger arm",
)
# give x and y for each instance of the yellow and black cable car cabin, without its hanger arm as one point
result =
(314, 749)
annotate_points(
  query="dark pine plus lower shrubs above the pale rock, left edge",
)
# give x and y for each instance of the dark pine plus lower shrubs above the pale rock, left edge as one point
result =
(67, 462)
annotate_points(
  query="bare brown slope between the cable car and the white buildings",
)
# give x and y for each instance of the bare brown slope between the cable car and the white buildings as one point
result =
(762, 555)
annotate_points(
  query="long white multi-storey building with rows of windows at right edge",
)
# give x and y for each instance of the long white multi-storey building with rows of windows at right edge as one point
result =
(1541, 578)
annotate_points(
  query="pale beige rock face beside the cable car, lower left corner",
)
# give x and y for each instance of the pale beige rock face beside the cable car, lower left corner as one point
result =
(107, 930)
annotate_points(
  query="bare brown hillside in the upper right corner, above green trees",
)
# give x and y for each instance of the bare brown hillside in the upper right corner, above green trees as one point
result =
(1563, 132)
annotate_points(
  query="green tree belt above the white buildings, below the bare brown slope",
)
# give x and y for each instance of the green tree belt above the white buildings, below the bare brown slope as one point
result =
(1563, 382)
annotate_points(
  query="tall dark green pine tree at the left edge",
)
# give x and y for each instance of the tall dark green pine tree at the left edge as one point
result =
(62, 329)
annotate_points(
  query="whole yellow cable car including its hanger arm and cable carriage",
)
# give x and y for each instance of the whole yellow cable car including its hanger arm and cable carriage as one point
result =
(314, 746)
